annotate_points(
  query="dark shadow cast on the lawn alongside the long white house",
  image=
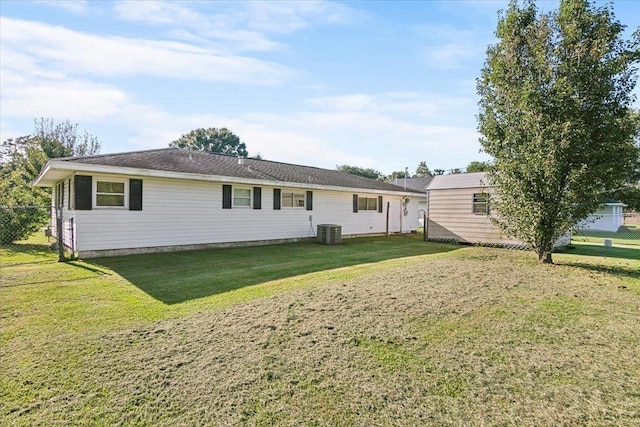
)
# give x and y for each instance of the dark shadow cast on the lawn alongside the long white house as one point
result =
(182, 276)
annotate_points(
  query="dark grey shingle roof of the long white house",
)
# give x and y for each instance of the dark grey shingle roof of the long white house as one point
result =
(199, 162)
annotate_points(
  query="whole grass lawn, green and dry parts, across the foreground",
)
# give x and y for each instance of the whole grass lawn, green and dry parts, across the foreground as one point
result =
(374, 332)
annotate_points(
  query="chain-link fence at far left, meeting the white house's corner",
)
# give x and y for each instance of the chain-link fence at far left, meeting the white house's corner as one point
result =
(30, 234)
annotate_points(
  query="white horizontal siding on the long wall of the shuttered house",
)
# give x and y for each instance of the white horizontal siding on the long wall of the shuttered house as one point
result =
(181, 212)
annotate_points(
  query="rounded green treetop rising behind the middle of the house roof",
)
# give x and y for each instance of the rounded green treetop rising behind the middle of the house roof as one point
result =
(212, 140)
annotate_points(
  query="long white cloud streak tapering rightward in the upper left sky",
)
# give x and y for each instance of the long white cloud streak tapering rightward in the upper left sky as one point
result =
(72, 53)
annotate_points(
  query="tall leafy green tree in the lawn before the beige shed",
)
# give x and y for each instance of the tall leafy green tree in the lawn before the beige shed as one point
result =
(555, 98)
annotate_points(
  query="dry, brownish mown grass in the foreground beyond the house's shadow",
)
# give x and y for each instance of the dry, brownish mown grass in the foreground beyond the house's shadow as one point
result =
(476, 337)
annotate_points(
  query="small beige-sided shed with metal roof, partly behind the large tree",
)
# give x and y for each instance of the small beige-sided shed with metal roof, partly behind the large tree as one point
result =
(459, 209)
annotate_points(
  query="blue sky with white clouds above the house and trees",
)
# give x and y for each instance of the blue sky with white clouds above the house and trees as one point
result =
(375, 84)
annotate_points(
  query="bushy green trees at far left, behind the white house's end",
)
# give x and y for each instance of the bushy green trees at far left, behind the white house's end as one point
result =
(21, 159)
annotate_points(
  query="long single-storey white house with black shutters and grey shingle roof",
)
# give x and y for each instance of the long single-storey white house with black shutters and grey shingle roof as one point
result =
(175, 199)
